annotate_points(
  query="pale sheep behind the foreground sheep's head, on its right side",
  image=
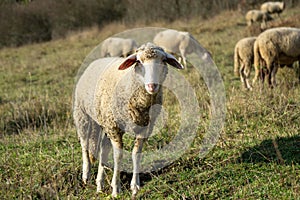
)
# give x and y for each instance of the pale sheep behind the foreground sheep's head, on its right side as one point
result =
(176, 42)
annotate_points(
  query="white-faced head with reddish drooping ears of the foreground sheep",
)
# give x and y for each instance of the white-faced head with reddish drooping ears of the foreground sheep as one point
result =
(150, 63)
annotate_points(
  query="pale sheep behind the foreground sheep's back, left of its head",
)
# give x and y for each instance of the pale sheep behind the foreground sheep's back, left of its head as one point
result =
(116, 47)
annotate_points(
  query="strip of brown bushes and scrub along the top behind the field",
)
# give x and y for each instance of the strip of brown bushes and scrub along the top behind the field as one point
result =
(28, 21)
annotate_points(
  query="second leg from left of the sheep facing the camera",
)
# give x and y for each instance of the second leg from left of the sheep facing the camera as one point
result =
(105, 147)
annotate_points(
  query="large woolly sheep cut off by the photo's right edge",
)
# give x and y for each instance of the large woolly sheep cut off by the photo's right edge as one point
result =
(275, 47)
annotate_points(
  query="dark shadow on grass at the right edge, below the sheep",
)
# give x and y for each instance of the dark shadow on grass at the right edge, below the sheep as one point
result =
(284, 150)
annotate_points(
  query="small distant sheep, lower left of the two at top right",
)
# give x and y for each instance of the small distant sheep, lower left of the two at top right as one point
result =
(257, 16)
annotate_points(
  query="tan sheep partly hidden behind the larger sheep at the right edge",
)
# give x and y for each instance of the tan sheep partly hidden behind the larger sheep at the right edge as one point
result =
(243, 59)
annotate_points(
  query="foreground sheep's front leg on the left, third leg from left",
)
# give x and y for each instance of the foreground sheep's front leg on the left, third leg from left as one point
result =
(118, 154)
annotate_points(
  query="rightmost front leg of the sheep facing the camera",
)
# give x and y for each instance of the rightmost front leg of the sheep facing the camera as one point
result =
(136, 159)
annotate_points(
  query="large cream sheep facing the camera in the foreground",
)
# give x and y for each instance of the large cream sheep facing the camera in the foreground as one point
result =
(115, 95)
